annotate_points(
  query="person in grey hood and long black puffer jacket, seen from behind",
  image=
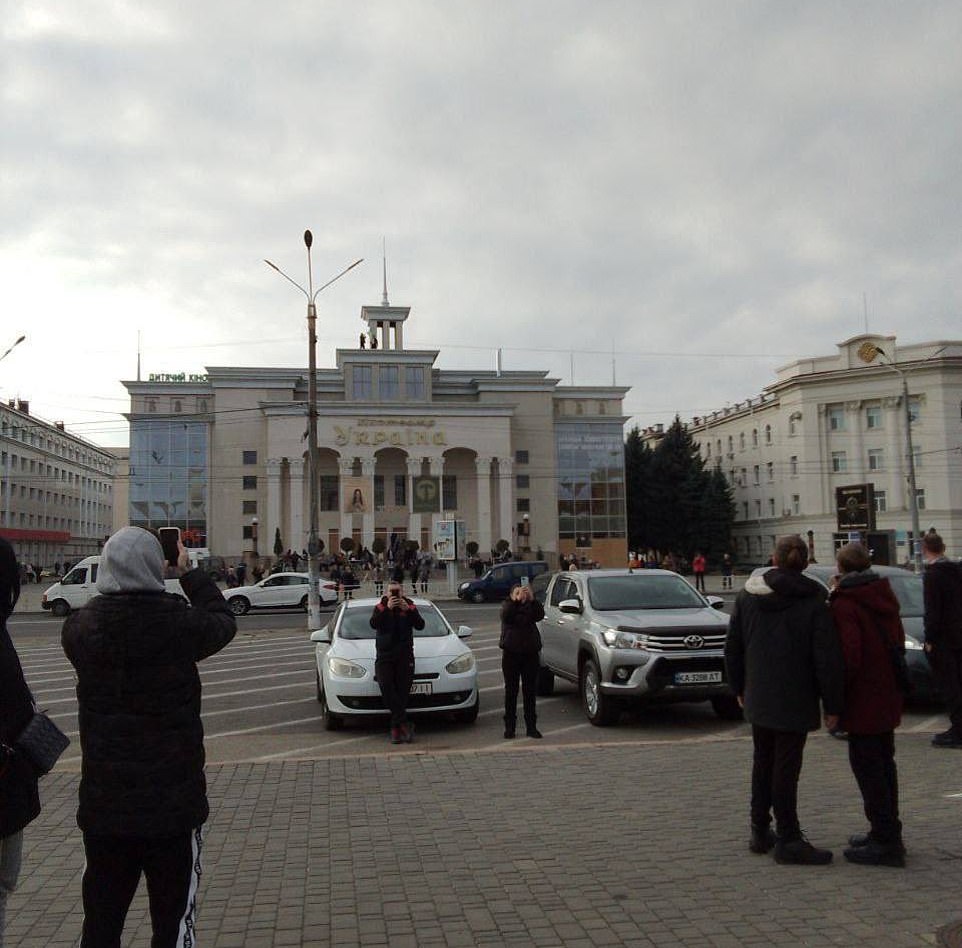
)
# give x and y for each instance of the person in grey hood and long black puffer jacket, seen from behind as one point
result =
(143, 795)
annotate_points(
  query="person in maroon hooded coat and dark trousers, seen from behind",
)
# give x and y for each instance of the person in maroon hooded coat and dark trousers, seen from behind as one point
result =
(866, 615)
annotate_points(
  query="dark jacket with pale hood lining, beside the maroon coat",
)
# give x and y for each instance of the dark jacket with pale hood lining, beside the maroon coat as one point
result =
(782, 652)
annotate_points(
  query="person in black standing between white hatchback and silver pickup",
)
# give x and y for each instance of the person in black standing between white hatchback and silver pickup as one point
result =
(520, 644)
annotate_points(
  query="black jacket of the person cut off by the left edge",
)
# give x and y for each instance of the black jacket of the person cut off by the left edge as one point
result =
(19, 799)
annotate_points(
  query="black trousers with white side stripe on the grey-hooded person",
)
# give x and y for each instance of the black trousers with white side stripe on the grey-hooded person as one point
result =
(171, 865)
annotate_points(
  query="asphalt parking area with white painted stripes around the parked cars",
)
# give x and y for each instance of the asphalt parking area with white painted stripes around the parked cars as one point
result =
(260, 702)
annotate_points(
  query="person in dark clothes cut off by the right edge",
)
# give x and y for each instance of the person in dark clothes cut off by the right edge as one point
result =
(942, 589)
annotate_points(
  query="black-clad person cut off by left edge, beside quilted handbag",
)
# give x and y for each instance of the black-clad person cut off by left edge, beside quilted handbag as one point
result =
(19, 799)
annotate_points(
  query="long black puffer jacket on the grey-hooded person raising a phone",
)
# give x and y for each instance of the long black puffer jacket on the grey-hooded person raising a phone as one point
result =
(139, 693)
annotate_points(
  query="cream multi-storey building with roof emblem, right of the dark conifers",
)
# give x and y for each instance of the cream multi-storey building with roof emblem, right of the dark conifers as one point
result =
(840, 421)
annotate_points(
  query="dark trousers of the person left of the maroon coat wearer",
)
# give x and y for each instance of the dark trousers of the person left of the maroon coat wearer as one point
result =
(776, 768)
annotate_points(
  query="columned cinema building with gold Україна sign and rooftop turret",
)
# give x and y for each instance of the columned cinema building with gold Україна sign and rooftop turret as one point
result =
(402, 445)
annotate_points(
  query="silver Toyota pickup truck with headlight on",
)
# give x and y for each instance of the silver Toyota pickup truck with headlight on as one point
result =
(628, 637)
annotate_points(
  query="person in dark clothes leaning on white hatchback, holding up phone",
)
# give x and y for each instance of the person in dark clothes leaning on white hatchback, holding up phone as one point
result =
(395, 619)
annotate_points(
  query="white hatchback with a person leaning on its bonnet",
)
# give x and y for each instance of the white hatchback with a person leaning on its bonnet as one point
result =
(445, 670)
